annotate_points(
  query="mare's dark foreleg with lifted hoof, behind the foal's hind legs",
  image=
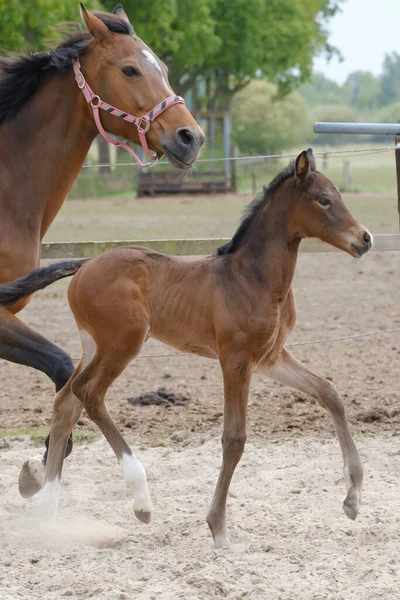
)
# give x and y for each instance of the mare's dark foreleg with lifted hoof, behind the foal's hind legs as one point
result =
(22, 345)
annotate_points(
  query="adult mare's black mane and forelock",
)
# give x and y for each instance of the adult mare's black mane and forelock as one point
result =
(22, 75)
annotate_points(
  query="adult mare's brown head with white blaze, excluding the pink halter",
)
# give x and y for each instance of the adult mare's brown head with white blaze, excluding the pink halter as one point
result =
(125, 73)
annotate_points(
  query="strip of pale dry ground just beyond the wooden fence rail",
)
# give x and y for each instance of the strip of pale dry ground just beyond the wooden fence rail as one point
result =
(188, 217)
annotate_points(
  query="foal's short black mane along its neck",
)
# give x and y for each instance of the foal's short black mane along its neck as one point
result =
(251, 210)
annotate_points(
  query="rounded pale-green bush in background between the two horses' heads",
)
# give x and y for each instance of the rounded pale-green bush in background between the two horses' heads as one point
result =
(264, 123)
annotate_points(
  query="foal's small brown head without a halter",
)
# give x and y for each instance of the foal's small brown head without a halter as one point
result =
(318, 210)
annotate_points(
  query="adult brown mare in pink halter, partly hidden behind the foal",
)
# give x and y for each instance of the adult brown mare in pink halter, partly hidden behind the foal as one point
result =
(46, 129)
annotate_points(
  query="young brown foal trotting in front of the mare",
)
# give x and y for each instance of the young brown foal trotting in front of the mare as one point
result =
(236, 307)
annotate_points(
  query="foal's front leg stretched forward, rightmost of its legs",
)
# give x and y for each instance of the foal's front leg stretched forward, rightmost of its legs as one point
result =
(289, 371)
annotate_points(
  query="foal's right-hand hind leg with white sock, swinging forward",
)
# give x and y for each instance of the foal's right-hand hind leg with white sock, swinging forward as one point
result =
(91, 386)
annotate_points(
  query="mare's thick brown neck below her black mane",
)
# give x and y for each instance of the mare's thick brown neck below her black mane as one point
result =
(42, 150)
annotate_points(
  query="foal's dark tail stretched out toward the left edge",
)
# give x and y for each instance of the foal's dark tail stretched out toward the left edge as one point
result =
(10, 293)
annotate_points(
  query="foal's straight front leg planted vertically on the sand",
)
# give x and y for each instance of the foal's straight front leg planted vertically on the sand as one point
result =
(237, 377)
